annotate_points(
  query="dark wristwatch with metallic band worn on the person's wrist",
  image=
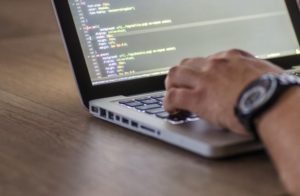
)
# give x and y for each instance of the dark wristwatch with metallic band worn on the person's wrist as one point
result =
(259, 96)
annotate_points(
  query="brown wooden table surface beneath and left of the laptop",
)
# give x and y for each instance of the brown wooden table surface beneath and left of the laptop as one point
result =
(49, 145)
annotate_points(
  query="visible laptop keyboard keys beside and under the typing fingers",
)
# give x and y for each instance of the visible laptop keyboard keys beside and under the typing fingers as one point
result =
(153, 105)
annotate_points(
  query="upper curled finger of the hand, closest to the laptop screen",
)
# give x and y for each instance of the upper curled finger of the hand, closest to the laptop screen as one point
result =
(182, 77)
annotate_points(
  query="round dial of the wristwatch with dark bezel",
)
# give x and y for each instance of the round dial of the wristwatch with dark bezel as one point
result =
(257, 94)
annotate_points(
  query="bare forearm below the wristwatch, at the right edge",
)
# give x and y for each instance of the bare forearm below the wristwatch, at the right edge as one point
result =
(279, 130)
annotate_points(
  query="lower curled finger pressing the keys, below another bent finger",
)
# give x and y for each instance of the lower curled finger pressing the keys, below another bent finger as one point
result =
(179, 99)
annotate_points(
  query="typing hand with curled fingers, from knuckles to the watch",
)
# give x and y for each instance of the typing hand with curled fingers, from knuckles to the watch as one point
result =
(209, 87)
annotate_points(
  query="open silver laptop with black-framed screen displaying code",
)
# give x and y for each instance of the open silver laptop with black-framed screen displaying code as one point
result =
(121, 51)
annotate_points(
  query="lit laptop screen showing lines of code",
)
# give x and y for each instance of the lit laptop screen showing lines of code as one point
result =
(131, 39)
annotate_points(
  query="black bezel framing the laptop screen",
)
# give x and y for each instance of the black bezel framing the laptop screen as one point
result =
(131, 87)
